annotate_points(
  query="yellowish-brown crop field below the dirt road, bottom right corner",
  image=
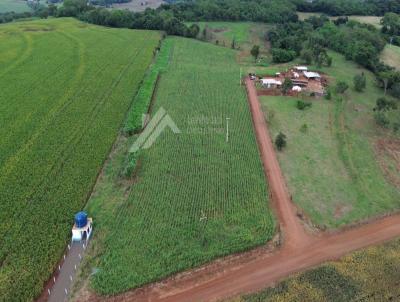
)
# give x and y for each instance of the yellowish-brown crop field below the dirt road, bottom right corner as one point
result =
(368, 275)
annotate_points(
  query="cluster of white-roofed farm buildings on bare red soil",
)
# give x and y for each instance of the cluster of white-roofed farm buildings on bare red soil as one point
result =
(302, 79)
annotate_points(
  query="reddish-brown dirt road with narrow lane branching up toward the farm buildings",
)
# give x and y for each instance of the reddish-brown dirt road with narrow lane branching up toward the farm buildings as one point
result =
(299, 251)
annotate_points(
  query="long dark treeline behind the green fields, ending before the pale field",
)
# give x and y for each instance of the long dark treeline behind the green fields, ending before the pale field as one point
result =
(171, 17)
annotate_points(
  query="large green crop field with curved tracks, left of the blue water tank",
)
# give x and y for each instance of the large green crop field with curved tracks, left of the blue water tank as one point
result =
(64, 91)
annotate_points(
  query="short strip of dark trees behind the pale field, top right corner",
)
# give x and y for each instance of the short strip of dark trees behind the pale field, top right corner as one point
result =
(349, 7)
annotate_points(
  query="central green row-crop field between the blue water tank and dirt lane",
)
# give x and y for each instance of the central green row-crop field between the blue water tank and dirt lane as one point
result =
(195, 196)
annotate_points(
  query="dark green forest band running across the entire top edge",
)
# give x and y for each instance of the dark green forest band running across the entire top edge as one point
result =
(268, 11)
